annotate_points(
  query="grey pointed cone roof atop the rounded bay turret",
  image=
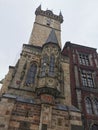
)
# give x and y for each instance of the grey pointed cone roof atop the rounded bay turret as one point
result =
(52, 37)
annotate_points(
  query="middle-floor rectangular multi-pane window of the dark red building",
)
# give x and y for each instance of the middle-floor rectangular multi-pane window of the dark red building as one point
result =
(87, 79)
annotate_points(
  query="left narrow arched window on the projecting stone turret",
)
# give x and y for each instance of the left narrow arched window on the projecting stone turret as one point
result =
(43, 65)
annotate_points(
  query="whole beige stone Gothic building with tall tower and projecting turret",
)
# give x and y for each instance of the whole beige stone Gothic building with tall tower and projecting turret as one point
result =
(36, 91)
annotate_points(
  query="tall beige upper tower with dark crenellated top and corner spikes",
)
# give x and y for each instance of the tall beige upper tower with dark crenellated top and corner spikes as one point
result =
(44, 22)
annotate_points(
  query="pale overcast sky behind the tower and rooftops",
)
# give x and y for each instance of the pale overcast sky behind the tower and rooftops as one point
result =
(80, 25)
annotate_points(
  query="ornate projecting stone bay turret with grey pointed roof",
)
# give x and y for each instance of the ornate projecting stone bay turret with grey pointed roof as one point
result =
(50, 74)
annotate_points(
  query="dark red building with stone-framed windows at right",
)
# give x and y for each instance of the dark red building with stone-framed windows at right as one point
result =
(84, 82)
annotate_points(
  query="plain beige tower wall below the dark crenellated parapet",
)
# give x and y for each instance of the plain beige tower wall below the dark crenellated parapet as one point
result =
(41, 30)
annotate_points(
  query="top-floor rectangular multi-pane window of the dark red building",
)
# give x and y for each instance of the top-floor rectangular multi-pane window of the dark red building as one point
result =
(84, 59)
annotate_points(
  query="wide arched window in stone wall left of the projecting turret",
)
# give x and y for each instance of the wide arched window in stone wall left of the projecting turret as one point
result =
(31, 74)
